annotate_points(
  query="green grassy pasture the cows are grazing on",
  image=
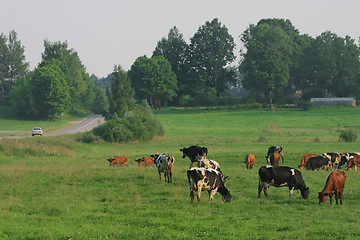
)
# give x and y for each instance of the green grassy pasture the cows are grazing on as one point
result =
(58, 188)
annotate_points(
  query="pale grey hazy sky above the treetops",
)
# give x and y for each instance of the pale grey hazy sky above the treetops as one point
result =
(111, 32)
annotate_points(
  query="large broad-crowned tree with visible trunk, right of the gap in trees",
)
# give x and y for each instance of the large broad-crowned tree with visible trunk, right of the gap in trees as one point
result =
(267, 60)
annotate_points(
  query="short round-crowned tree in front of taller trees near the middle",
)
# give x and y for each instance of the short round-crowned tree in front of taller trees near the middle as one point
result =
(153, 79)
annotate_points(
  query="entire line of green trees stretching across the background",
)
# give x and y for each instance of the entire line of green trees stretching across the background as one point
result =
(275, 62)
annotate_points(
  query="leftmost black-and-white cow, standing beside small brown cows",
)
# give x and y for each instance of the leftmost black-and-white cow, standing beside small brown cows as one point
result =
(165, 164)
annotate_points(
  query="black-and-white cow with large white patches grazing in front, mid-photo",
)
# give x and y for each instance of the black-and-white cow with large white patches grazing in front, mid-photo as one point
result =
(201, 179)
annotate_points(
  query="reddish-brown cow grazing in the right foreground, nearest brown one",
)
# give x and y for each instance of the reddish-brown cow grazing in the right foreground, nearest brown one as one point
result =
(335, 184)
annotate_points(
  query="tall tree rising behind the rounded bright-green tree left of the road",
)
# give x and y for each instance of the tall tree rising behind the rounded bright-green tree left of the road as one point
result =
(81, 86)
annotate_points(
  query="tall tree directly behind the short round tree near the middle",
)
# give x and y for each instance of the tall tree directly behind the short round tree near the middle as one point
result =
(174, 49)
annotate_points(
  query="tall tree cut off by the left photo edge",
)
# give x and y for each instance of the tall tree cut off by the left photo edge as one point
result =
(12, 64)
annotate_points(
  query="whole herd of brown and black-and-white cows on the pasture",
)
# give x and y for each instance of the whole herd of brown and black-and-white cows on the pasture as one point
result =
(208, 175)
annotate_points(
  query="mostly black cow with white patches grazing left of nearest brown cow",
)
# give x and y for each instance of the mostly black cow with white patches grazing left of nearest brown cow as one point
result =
(279, 177)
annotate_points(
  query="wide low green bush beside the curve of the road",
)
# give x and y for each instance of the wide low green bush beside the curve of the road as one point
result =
(138, 124)
